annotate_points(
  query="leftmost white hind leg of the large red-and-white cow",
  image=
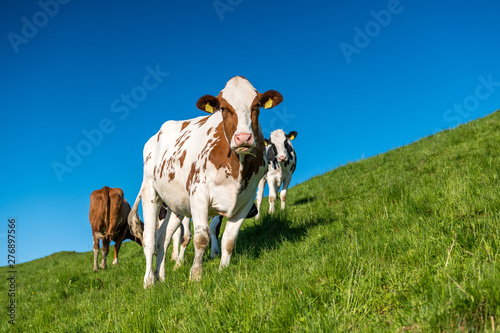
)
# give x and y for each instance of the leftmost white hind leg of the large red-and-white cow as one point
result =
(150, 207)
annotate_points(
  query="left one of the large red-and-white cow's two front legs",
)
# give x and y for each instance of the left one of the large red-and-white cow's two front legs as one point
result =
(199, 211)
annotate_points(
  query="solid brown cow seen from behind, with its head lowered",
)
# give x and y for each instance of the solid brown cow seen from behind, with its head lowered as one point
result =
(108, 216)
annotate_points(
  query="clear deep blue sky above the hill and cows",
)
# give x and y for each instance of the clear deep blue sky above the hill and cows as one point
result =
(358, 78)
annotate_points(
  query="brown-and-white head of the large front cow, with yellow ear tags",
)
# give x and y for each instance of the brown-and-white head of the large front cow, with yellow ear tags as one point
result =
(240, 103)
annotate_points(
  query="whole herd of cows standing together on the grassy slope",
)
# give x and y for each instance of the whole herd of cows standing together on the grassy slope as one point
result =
(210, 166)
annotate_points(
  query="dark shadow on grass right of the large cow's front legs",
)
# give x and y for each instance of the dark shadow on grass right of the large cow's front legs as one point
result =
(271, 231)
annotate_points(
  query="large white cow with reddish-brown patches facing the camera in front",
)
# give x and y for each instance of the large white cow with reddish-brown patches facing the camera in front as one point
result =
(202, 167)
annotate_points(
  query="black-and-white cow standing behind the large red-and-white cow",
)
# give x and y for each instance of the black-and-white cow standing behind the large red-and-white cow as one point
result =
(281, 163)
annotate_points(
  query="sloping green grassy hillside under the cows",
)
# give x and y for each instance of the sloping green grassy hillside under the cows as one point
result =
(404, 241)
